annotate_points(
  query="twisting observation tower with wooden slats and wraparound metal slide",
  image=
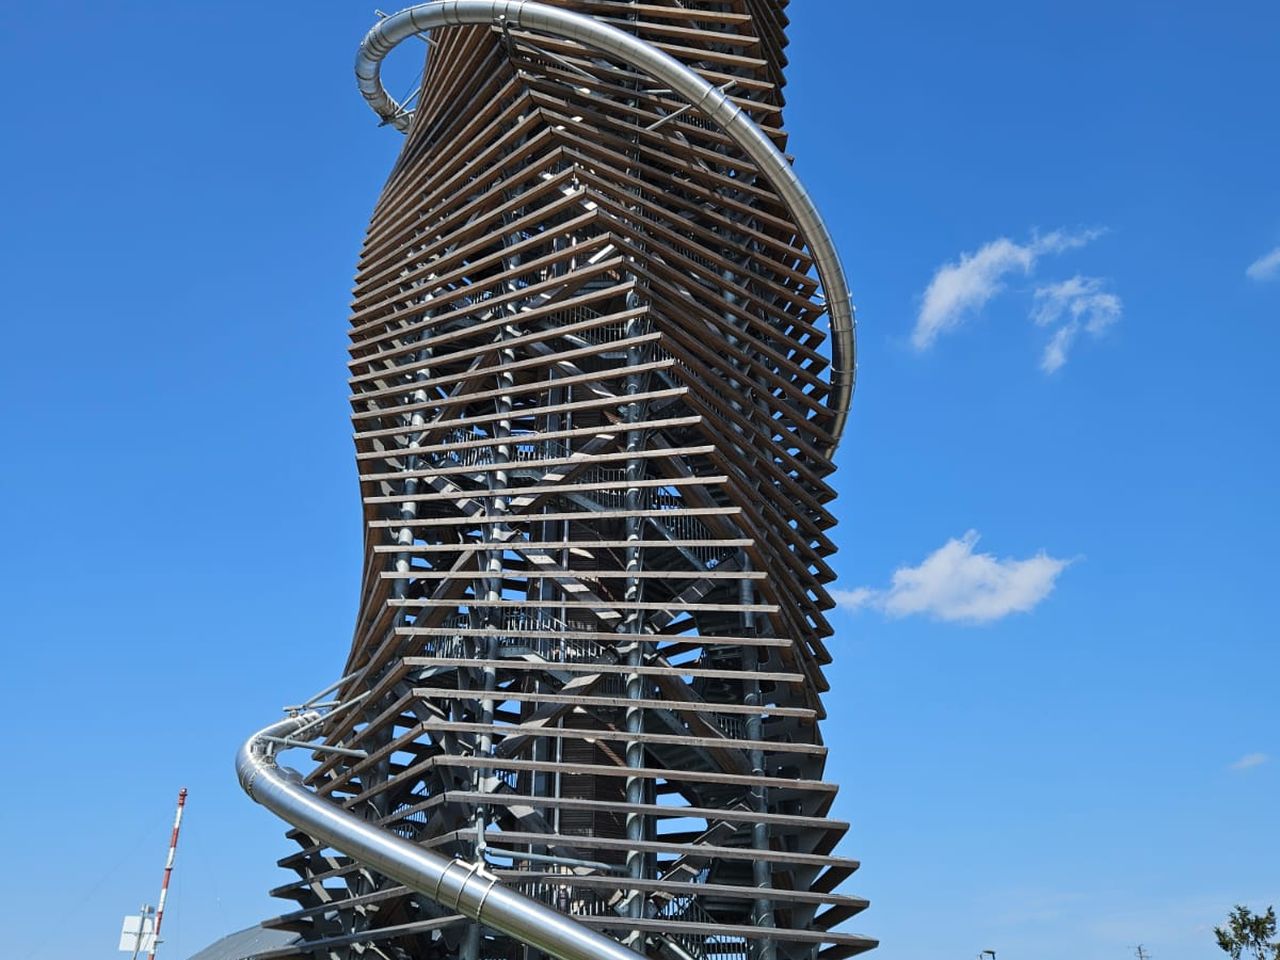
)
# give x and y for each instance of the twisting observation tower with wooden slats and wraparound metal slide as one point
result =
(602, 354)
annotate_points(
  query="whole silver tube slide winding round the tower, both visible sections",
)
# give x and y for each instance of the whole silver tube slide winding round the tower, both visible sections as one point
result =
(469, 888)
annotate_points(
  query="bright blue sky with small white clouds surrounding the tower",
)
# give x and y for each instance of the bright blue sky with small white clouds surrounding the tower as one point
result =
(1054, 715)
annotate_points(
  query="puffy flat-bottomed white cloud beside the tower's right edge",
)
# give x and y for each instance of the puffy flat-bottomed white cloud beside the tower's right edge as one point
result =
(956, 584)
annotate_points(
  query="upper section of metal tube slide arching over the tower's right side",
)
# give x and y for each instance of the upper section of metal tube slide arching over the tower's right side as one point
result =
(708, 100)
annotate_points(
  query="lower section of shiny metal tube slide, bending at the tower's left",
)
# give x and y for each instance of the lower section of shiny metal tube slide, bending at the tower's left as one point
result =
(456, 885)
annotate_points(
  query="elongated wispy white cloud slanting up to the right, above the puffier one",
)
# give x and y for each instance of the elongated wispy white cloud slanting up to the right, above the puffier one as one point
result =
(964, 287)
